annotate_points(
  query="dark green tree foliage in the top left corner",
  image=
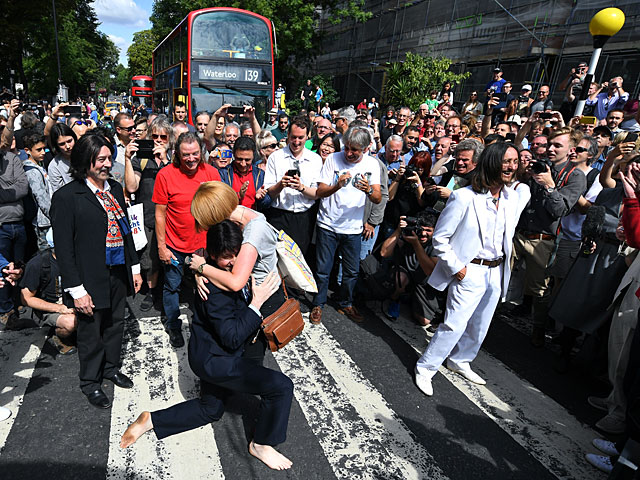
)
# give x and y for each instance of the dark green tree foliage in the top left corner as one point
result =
(28, 46)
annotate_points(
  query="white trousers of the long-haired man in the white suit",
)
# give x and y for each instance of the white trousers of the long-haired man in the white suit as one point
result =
(471, 304)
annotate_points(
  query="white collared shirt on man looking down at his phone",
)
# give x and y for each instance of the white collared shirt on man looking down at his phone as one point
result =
(278, 163)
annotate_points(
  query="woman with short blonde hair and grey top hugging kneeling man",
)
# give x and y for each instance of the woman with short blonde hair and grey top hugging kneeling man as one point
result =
(214, 202)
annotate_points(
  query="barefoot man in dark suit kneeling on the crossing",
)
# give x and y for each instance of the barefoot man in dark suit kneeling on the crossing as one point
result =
(221, 326)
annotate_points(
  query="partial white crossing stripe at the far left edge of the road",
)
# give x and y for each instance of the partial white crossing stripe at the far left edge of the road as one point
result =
(19, 353)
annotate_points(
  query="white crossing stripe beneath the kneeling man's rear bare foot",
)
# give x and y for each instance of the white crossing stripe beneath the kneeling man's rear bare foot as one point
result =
(162, 378)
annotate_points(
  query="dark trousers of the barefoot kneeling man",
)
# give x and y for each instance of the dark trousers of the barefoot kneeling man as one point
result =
(274, 388)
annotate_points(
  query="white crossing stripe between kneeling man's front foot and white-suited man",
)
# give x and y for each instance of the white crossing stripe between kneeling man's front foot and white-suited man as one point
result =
(361, 436)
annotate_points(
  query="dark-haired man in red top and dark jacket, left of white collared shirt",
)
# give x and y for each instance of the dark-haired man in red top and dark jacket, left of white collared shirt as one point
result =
(245, 179)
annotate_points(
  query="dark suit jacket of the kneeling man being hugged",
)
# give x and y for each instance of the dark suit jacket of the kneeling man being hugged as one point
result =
(220, 327)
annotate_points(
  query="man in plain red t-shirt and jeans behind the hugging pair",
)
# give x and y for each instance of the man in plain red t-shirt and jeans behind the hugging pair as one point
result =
(175, 227)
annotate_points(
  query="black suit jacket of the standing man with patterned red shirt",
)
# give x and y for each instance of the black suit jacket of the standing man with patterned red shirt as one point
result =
(79, 232)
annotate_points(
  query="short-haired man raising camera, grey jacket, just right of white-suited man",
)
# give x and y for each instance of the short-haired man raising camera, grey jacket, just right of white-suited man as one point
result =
(556, 185)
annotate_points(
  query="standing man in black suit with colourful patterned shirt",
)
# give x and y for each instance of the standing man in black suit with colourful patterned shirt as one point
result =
(98, 262)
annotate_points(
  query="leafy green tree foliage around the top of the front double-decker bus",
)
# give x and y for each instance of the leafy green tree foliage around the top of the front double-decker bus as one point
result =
(295, 21)
